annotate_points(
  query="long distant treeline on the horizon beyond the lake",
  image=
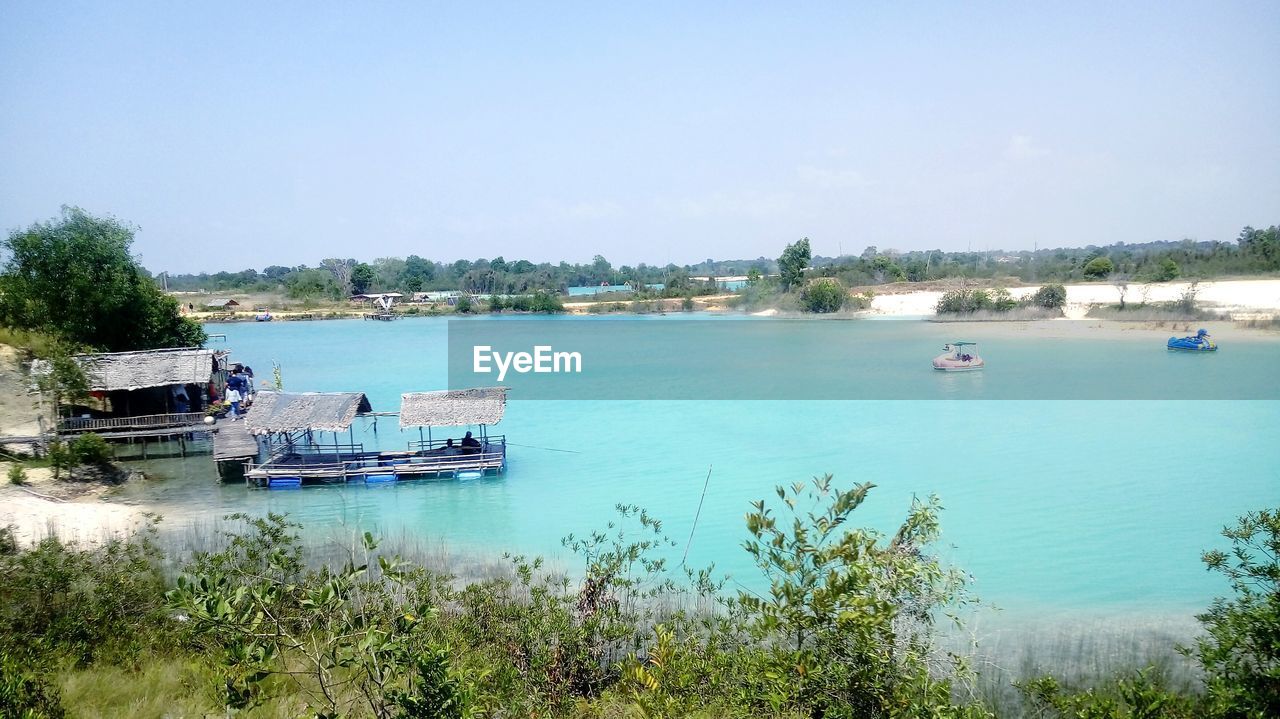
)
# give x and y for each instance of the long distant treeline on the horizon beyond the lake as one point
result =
(1254, 253)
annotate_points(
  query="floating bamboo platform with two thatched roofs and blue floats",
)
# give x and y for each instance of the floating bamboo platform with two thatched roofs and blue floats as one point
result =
(290, 424)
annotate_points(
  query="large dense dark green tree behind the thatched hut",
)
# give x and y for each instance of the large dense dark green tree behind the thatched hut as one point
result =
(75, 278)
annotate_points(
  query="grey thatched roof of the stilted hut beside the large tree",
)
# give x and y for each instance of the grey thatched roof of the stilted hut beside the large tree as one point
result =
(152, 368)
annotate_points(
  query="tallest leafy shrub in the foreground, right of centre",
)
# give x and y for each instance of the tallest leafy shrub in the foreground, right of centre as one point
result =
(848, 621)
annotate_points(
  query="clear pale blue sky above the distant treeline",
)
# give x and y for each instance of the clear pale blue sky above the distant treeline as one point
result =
(260, 134)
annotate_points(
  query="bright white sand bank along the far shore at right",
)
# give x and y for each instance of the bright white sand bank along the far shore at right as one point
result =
(1241, 299)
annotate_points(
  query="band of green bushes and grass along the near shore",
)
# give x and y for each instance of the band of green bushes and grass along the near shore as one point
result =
(845, 630)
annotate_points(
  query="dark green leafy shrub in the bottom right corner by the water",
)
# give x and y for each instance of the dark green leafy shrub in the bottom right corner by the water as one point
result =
(1241, 651)
